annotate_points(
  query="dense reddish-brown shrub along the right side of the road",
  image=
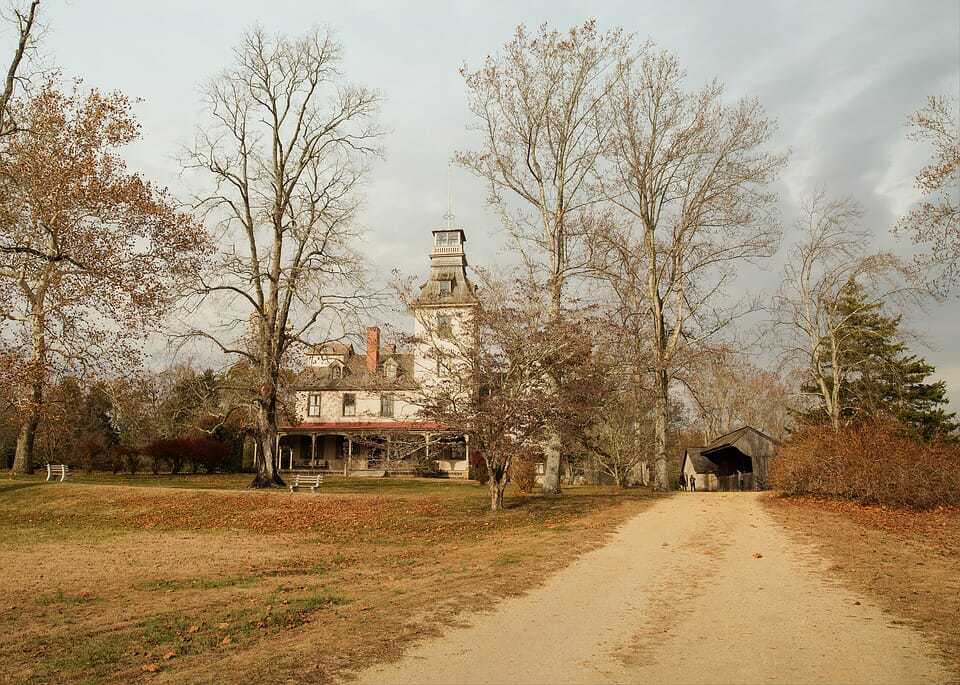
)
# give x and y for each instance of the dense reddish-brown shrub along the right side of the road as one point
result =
(873, 462)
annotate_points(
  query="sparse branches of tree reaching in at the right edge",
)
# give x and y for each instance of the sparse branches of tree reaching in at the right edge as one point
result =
(935, 220)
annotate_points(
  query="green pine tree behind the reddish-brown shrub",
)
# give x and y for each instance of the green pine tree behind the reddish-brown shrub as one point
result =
(883, 377)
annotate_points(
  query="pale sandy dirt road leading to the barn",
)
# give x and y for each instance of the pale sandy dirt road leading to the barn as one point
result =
(701, 588)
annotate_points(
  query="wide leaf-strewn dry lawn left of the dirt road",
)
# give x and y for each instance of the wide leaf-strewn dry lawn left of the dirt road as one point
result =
(119, 579)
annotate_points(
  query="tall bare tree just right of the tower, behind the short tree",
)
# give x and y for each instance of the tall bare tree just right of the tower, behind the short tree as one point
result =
(538, 108)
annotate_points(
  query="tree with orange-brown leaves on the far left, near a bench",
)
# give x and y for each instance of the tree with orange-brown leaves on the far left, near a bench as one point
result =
(90, 254)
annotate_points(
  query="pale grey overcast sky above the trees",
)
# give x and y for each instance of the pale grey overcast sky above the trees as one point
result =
(841, 78)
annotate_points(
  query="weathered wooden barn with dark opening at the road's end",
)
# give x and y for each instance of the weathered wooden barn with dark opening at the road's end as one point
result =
(735, 461)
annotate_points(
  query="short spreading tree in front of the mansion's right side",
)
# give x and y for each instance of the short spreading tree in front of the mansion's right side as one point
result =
(494, 381)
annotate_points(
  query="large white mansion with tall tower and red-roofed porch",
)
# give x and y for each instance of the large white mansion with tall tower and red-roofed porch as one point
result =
(357, 412)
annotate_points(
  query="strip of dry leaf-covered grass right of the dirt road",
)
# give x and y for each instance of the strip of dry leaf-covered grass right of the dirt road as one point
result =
(908, 561)
